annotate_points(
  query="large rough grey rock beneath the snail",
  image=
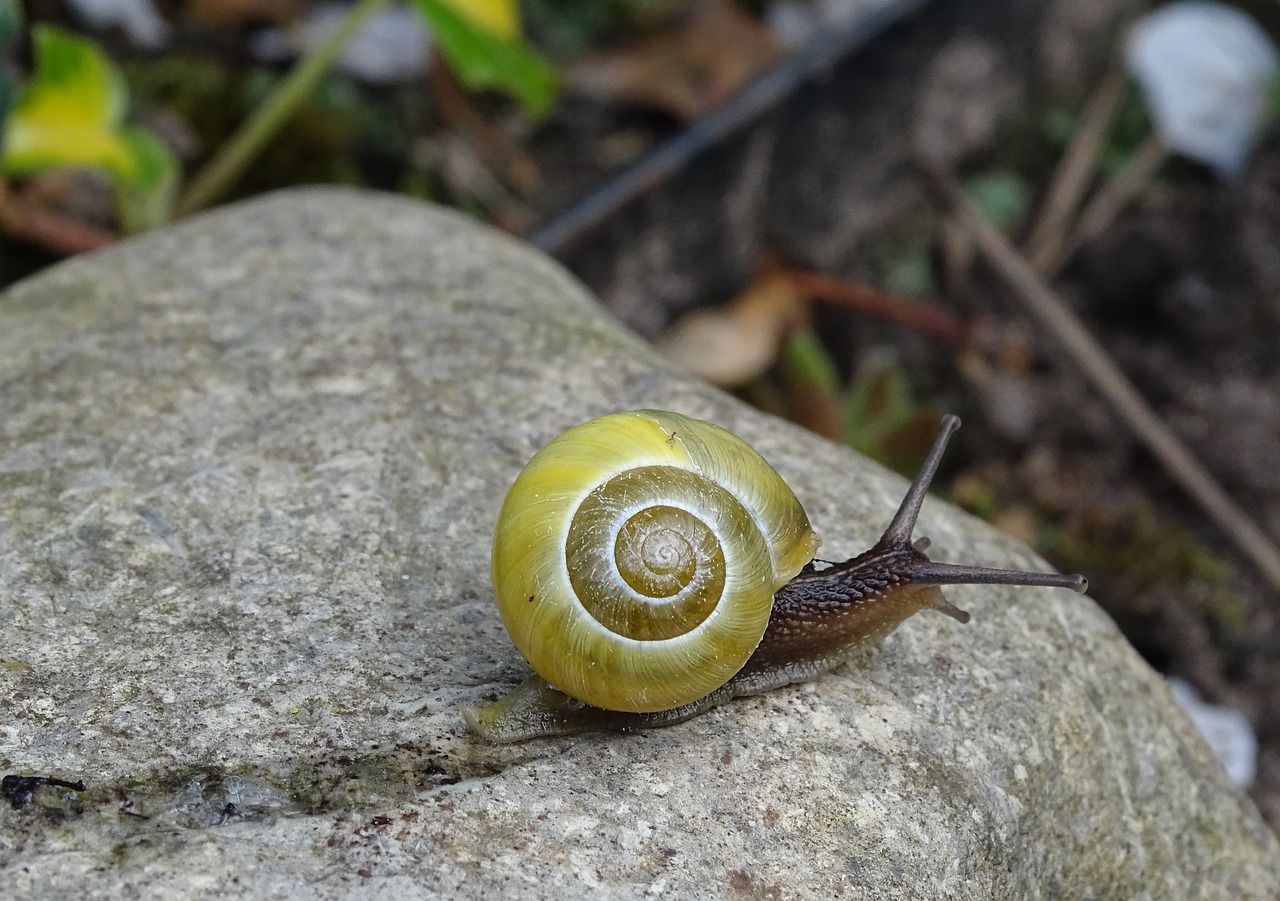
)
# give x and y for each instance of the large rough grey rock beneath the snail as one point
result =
(250, 466)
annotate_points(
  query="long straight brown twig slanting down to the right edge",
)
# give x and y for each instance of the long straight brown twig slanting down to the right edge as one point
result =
(1044, 304)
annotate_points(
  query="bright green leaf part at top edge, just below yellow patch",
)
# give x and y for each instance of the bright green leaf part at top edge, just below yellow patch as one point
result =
(482, 60)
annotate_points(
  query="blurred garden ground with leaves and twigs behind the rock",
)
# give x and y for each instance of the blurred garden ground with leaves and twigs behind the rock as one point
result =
(1057, 218)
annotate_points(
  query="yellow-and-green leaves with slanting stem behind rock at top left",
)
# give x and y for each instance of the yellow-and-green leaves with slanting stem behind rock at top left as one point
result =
(74, 109)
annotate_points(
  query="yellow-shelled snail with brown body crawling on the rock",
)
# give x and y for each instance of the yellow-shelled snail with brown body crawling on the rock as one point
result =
(651, 566)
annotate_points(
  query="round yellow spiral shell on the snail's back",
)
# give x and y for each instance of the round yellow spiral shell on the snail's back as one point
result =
(637, 557)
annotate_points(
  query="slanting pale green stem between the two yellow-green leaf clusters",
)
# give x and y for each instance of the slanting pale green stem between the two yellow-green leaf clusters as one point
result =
(231, 161)
